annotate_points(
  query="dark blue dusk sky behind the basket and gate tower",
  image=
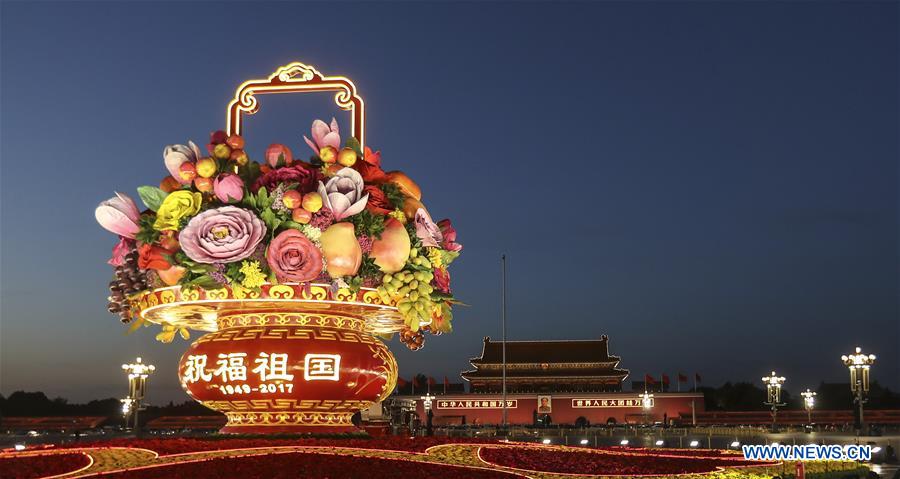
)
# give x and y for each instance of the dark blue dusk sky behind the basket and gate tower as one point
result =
(713, 185)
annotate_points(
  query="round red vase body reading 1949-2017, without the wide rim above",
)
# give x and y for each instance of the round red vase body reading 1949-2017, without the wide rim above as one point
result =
(289, 371)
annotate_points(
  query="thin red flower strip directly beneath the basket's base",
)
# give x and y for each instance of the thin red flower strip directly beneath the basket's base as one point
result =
(182, 445)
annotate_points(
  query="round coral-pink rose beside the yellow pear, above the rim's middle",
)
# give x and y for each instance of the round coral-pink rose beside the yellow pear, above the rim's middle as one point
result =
(294, 258)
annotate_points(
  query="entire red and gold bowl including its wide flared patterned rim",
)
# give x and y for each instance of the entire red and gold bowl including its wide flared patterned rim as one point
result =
(287, 358)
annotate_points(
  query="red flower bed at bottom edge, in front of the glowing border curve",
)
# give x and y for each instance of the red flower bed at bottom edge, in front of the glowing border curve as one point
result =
(309, 466)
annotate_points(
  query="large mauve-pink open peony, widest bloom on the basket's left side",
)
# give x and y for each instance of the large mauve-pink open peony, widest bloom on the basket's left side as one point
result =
(222, 235)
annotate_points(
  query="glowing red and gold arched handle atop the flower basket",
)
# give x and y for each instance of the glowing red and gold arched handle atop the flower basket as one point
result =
(297, 77)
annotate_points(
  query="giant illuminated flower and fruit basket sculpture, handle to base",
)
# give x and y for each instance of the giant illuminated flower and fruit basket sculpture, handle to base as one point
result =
(295, 269)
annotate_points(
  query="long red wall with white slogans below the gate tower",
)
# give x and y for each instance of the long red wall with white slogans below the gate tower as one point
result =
(668, 405)
